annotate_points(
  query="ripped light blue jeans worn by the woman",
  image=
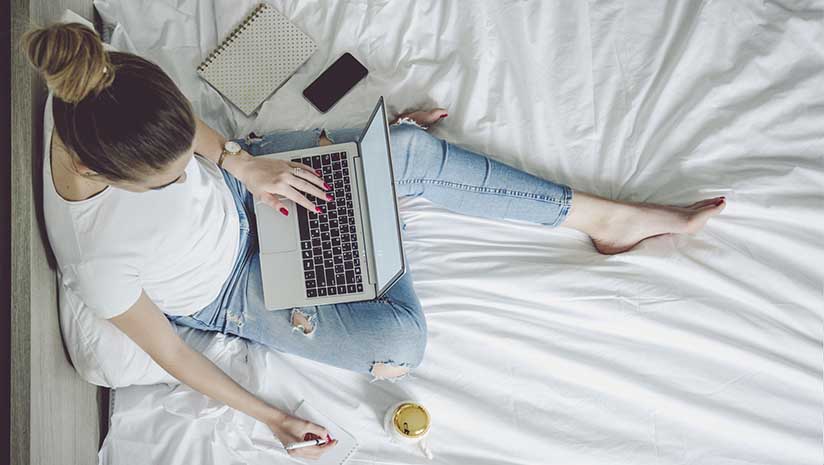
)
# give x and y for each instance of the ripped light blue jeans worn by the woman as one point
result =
(392, 329)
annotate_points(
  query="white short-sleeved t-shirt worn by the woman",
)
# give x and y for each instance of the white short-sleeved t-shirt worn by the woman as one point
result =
(177, 244)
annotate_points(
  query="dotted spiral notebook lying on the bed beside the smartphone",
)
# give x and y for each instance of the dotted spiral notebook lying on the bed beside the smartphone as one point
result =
(256, 58)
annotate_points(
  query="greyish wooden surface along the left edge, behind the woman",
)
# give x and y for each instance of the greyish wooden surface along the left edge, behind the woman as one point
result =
(55, 416)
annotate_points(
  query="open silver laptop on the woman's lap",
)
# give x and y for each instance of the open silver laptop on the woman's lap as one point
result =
(353, 250)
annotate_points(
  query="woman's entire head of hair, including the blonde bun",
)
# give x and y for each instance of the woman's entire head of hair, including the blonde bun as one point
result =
(118, 113)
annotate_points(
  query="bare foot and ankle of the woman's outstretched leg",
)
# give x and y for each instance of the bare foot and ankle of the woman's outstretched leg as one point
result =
(616, 227)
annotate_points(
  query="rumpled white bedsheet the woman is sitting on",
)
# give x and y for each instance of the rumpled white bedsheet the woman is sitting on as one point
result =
(687, 350)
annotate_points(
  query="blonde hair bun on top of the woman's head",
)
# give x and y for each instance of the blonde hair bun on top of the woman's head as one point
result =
(71, 59)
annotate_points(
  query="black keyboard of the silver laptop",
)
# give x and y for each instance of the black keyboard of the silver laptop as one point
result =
(328, 241)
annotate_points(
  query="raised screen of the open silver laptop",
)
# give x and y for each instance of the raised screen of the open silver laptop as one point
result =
(380, 194)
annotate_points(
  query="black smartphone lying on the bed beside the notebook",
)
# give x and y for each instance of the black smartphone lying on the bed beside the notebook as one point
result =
(325, 91)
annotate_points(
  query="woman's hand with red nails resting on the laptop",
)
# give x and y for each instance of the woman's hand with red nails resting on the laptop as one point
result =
(272, 180)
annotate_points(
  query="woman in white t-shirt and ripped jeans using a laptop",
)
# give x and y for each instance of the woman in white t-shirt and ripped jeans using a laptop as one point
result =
(145, 232)
